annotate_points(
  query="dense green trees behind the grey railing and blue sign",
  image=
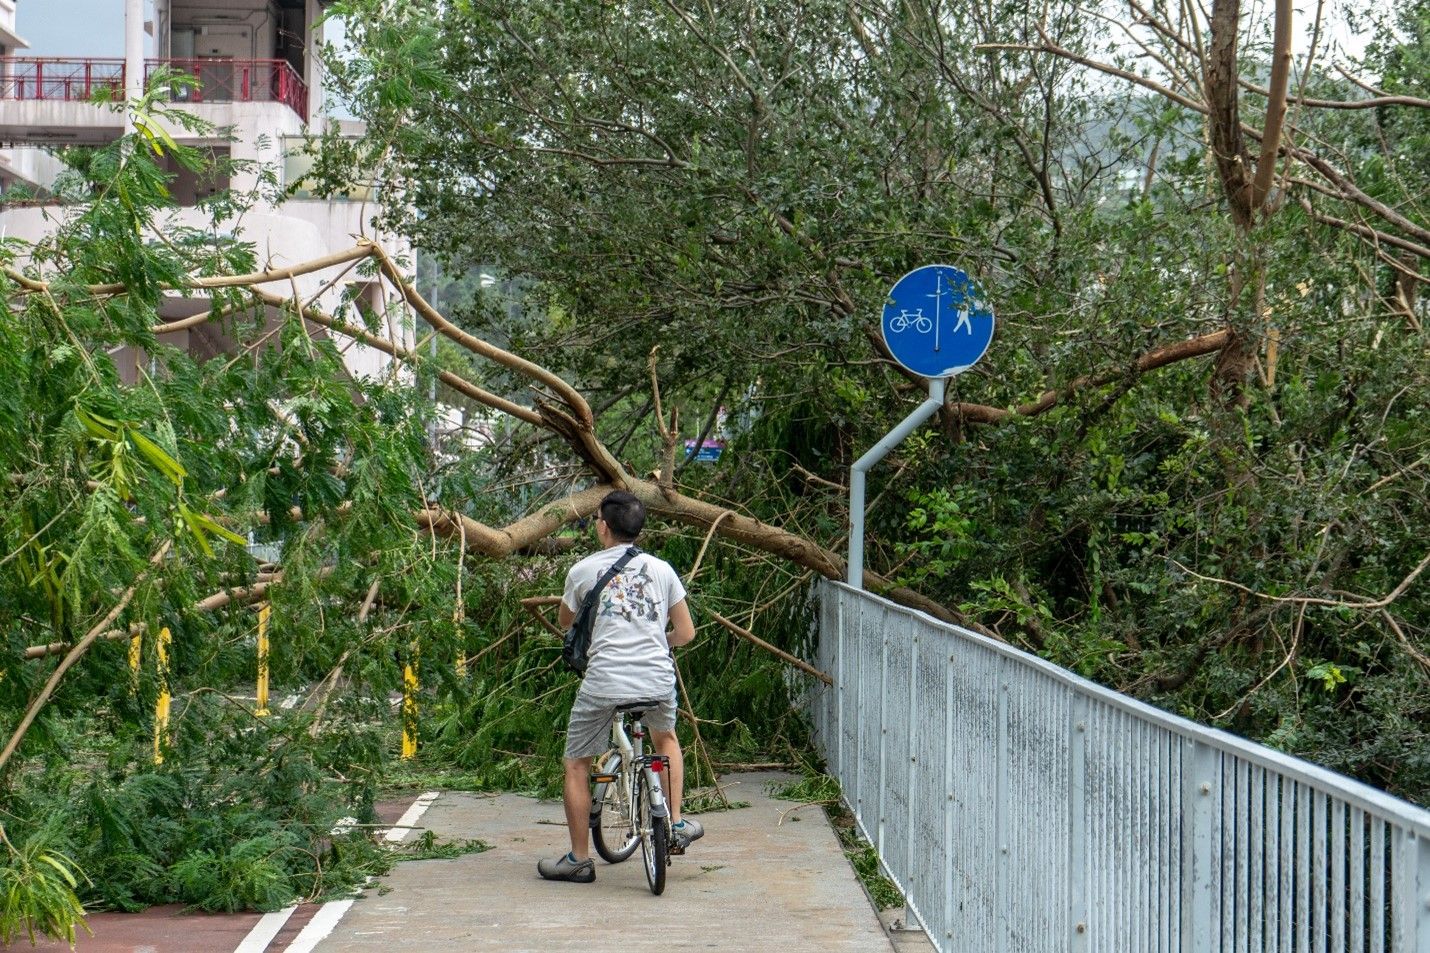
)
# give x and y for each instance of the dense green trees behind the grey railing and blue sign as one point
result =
(1190, 466)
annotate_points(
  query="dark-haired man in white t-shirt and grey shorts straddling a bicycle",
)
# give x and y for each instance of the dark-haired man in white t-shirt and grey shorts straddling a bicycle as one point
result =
(630, 660)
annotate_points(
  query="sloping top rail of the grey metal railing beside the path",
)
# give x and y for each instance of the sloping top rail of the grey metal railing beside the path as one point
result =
(1356, 793)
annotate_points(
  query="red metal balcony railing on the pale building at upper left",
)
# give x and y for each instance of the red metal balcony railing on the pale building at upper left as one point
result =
(220, 81)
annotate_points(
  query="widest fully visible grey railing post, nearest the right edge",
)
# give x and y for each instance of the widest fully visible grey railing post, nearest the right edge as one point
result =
(1202, 832)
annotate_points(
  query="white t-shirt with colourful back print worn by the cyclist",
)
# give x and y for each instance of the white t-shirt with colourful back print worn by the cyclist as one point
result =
(630, 658)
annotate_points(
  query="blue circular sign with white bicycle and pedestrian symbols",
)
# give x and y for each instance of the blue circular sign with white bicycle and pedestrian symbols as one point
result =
(937, 321)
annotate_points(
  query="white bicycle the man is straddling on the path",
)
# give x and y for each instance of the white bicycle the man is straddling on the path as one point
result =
(628, 802)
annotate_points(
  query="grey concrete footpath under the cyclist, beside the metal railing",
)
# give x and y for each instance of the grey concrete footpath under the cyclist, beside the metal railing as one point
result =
(751, 884)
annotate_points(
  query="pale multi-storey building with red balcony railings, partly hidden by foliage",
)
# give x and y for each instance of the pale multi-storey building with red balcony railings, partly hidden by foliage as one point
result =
(260, 85)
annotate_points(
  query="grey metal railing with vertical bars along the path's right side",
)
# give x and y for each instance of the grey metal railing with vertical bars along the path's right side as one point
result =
(1025, 809)
